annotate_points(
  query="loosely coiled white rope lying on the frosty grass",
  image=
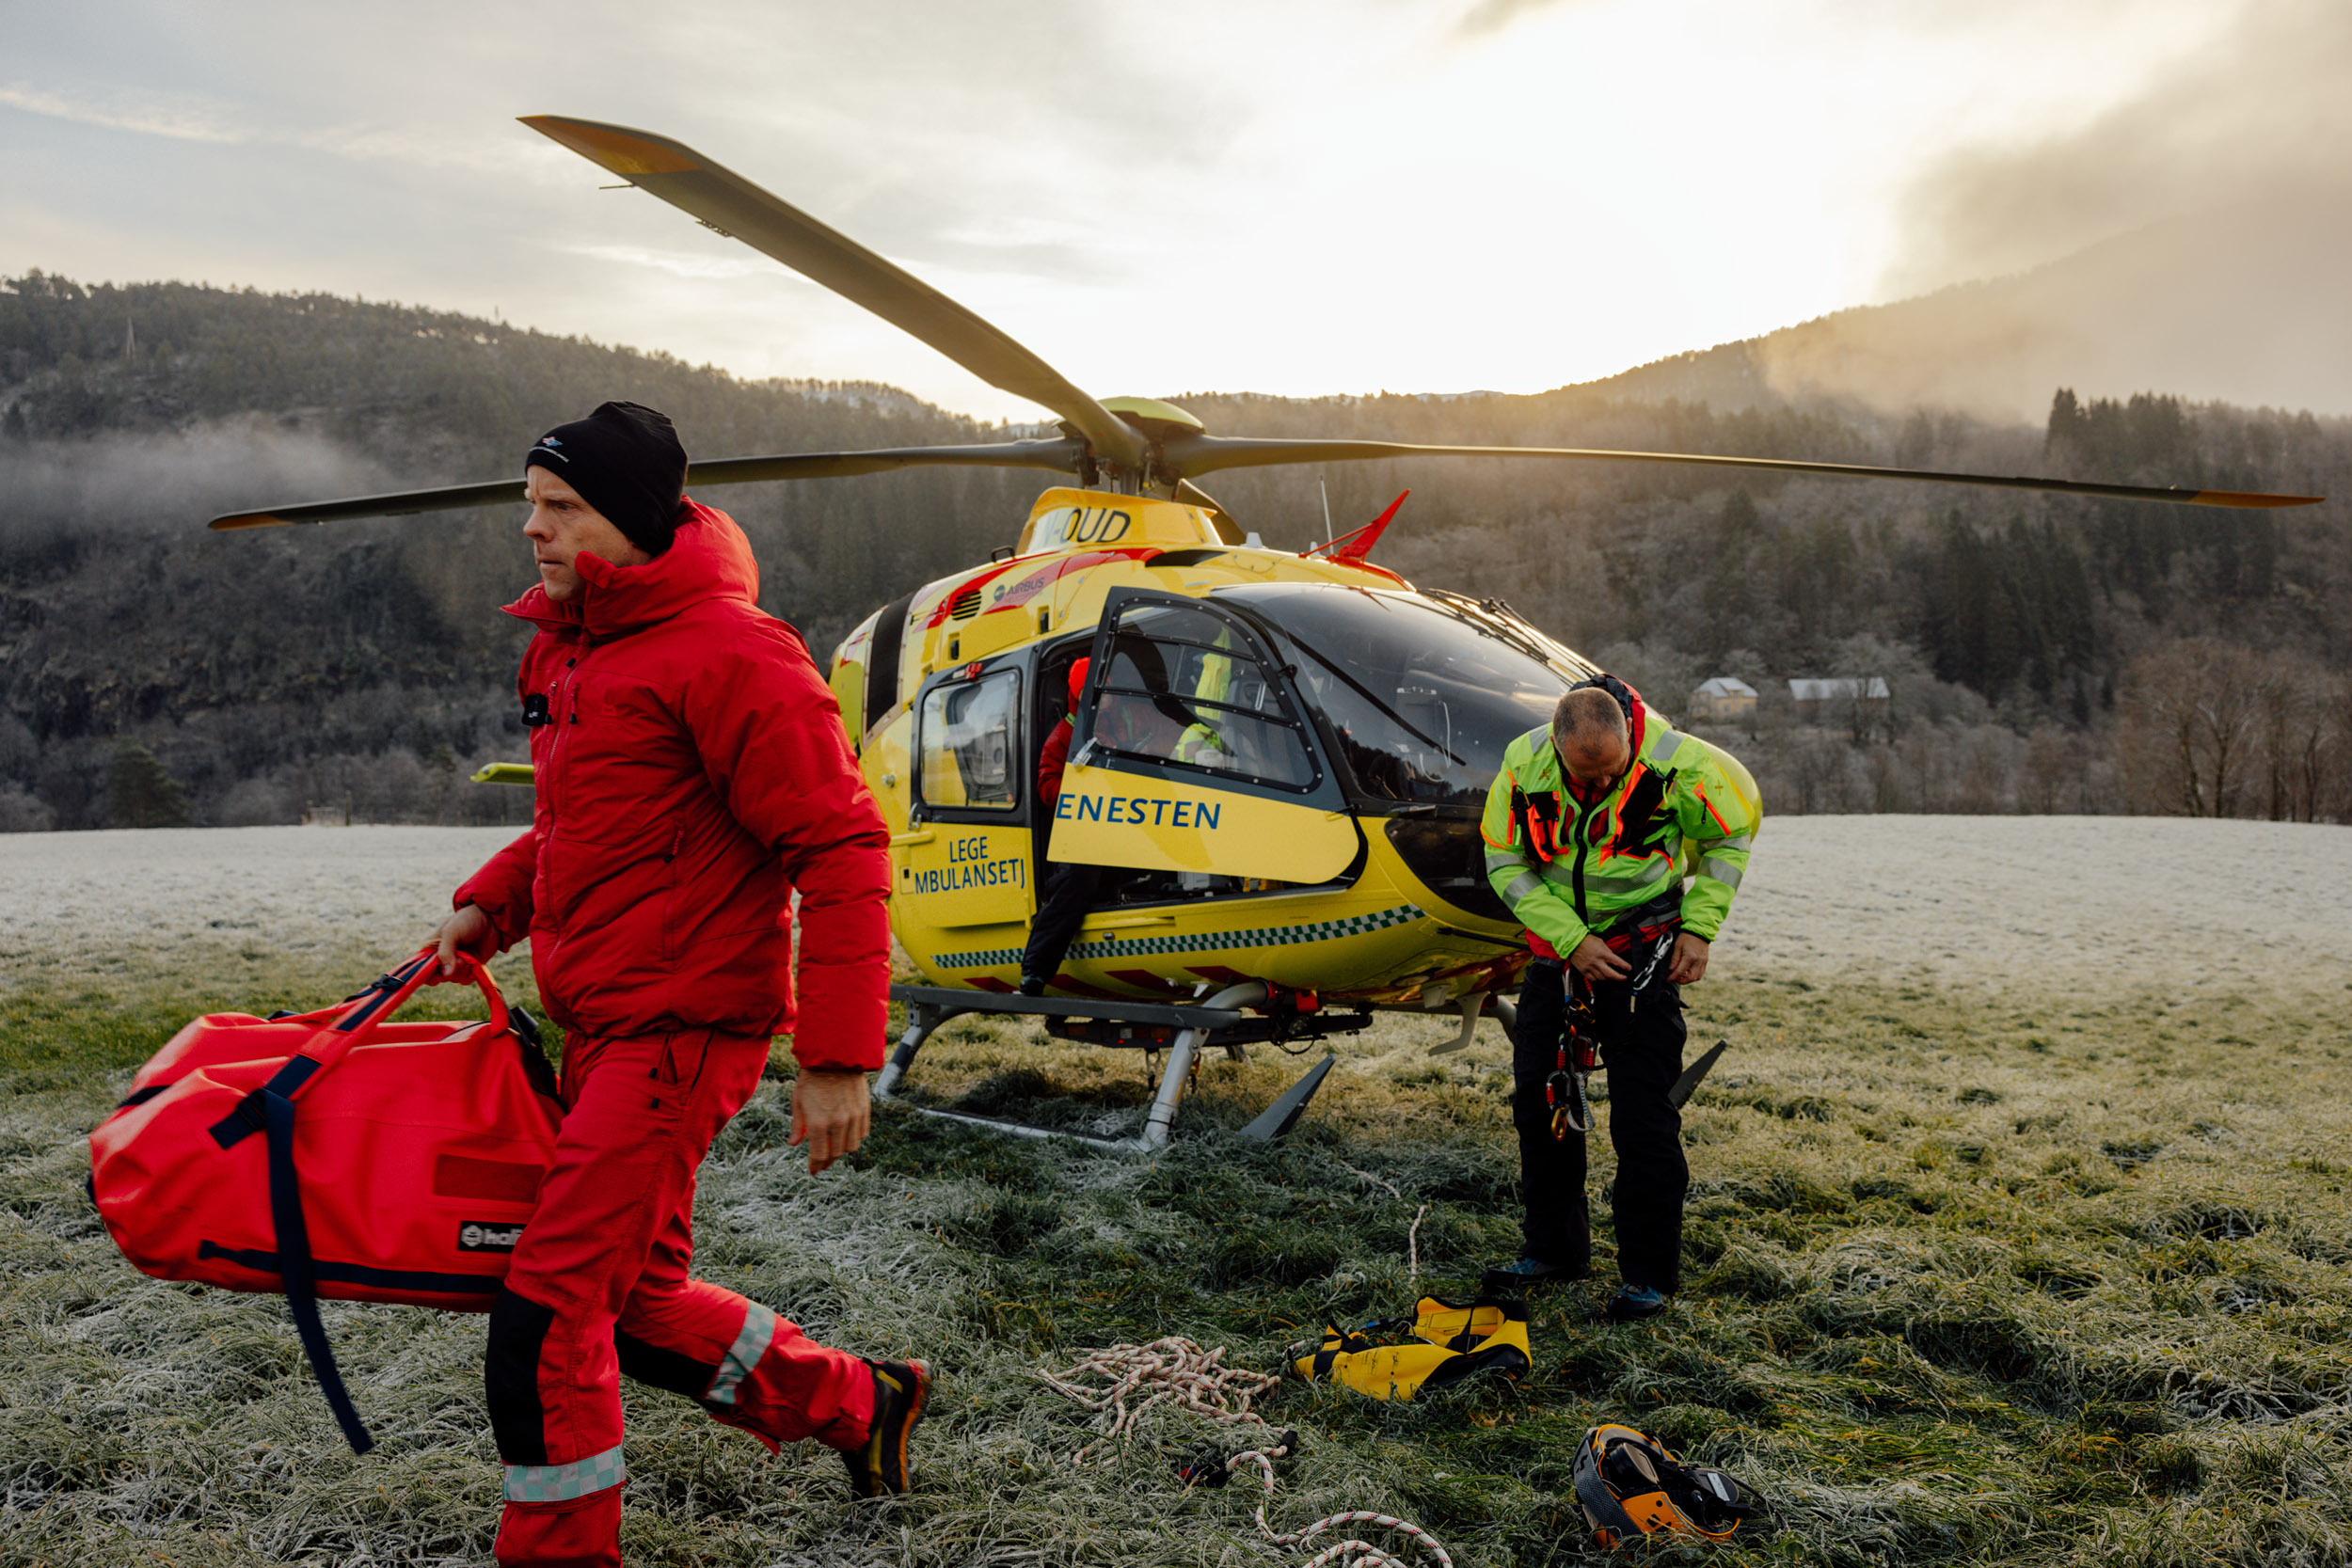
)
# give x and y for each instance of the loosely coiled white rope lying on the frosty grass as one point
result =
(1177, 1372)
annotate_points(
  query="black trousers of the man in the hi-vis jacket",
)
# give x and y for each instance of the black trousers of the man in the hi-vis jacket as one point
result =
(1643, 1052)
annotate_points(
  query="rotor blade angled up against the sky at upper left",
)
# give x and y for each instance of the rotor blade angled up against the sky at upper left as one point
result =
(742, 210)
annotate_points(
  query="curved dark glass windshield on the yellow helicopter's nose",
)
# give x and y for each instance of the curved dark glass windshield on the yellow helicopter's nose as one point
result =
(1422, 704)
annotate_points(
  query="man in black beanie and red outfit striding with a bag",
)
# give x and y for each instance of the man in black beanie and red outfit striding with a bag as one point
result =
(690, 777)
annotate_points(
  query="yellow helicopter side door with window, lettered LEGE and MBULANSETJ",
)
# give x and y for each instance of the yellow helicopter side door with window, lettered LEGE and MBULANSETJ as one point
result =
(965, 859)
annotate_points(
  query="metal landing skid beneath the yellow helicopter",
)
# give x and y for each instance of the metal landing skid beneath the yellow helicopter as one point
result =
(1149, 1026)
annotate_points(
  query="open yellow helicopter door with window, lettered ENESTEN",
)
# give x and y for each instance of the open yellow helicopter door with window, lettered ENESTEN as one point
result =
(1194, 756)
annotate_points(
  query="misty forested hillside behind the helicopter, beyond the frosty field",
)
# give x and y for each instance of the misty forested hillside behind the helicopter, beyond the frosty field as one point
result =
(2045, 652)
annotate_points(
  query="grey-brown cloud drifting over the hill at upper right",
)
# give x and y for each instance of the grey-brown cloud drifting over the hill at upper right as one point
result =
(2186, 241)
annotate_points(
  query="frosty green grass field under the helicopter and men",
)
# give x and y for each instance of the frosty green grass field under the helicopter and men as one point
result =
(2019, 1233)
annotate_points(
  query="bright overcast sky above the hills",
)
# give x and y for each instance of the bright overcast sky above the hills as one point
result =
(1283, 196)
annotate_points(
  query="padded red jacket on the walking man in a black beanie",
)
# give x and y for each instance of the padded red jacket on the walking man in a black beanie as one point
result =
(693, 775)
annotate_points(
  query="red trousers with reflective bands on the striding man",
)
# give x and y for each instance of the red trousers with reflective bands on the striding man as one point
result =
(599, 1287)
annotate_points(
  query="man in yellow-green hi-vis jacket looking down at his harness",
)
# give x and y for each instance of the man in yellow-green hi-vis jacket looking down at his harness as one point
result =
(1617, 843)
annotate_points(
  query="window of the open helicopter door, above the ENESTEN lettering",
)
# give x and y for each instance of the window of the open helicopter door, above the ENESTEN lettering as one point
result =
(1182, 690)
